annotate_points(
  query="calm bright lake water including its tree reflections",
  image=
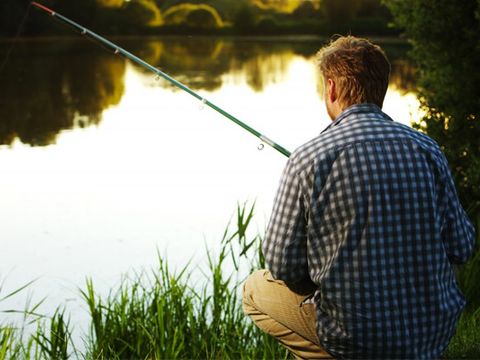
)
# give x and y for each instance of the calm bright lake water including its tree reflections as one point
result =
(102, 165)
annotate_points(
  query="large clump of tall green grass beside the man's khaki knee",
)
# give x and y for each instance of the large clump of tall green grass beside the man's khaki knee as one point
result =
(163, 315)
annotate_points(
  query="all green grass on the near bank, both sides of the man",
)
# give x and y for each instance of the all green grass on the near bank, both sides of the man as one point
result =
(163, 315)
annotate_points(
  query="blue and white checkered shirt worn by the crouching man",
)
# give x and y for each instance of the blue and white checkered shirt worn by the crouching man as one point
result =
(368, 211)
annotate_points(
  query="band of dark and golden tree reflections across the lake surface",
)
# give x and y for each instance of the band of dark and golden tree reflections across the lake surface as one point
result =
(49, 86)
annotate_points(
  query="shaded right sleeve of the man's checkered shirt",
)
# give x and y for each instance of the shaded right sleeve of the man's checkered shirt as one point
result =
(458, 233)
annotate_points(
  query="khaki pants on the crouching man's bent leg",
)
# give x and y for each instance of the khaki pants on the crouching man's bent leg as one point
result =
(280, 311)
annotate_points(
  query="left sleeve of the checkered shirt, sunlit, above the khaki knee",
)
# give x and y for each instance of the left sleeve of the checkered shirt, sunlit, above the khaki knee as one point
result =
(285, 243)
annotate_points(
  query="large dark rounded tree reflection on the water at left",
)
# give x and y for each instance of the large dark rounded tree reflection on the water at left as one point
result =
(48, 87)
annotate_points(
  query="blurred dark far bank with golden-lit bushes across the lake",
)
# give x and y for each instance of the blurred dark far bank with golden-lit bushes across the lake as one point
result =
(236, 17)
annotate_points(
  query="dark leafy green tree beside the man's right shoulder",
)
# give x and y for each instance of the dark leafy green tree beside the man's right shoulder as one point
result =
(445, 35)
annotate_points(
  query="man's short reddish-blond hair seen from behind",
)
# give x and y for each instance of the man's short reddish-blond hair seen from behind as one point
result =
(359, 68)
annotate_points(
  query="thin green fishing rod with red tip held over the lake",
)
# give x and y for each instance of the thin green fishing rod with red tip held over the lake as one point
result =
(120, 51)
